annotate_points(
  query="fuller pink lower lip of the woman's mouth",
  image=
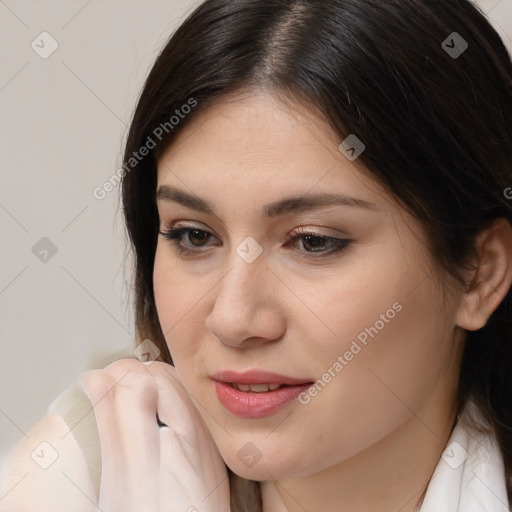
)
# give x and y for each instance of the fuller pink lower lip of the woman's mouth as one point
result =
(256, 405)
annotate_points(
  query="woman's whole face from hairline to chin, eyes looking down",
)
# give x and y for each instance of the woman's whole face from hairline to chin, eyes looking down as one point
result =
(353, 308)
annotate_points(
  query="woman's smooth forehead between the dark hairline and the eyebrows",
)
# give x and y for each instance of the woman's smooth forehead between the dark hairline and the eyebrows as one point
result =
(255, 143)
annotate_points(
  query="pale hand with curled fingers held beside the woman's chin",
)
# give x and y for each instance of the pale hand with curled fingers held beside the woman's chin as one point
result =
(145, 467)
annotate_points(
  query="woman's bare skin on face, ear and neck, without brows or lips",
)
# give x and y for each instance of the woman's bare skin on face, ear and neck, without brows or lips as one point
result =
(373, 435)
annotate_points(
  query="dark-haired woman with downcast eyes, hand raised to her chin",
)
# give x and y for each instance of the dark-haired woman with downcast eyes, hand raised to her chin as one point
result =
(318, 195)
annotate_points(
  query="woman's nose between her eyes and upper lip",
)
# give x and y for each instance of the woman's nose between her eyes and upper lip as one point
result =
(246, 309)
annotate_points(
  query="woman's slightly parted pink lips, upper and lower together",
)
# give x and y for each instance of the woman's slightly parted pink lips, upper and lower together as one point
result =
(249, 404)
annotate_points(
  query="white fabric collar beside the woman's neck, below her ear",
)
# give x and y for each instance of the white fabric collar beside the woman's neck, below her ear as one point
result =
(470, 476)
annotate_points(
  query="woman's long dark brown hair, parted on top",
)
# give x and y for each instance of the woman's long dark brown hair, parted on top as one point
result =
(436, 126)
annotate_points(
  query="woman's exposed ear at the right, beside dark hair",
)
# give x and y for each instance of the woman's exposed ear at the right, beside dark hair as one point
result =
(491, 281)
